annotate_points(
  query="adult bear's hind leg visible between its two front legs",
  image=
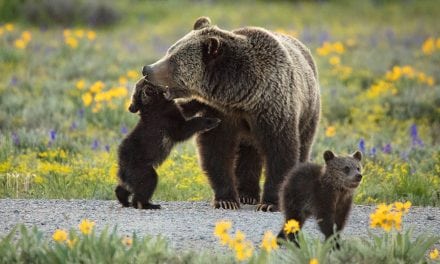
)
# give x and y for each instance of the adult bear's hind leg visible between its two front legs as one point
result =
(248, 172)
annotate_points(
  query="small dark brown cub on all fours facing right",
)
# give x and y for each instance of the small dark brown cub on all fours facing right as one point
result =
(325, 192)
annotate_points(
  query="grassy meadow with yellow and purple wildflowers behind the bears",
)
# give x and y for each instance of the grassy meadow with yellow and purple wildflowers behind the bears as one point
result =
(64, 93)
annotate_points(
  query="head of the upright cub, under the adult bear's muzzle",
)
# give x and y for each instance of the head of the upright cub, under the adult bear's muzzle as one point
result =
(146, 94)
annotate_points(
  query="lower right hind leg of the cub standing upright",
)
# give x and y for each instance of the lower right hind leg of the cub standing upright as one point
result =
(144, 188)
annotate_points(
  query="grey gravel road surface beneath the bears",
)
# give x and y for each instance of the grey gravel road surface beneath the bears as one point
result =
(187, 225)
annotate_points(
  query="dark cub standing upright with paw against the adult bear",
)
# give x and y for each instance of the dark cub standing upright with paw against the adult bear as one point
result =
(161, 125)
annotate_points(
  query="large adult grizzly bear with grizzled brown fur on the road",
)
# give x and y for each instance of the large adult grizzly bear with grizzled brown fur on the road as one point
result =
(264, 87)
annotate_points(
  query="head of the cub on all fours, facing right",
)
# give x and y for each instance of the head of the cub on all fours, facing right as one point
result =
(344, 171)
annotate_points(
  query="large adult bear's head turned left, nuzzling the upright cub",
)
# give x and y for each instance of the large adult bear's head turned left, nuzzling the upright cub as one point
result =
(197, 63)
